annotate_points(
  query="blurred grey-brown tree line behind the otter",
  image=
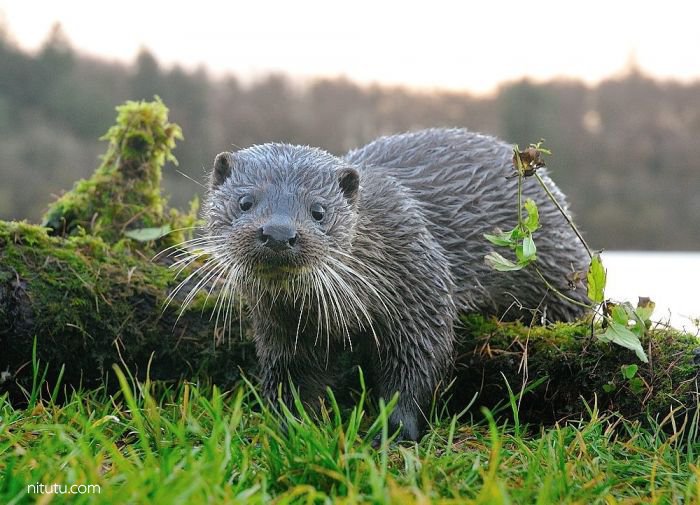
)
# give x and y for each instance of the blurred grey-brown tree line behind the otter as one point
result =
(626, 151)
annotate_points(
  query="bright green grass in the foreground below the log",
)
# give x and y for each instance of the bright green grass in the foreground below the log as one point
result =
(195, 444)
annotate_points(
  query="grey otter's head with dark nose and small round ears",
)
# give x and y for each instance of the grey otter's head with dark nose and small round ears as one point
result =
(275, 211)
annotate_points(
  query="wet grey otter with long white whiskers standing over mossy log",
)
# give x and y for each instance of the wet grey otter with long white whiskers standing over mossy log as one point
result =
(376, 252)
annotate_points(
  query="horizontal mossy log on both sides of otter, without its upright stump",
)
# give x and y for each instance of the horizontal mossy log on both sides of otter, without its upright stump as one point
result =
(89, 305)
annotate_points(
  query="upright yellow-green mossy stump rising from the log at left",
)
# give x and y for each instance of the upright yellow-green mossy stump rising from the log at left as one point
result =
(124, 193)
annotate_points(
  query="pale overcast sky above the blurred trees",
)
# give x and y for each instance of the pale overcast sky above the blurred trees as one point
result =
(430, 44)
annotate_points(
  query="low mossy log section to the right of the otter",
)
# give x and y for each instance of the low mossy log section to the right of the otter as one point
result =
(575, 367)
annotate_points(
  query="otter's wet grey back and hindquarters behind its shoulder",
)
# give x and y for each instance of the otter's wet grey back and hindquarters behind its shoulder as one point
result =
(459, 180)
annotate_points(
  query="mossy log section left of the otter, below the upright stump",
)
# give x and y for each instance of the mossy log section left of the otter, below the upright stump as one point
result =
(88, 304)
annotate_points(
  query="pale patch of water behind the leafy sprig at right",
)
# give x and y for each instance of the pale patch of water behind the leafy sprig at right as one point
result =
(672, 280)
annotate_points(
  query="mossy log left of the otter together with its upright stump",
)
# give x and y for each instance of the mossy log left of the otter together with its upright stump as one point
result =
(84, 286)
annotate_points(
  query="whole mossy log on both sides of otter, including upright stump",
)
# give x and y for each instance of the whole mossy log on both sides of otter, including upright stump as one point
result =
(85, 290)
